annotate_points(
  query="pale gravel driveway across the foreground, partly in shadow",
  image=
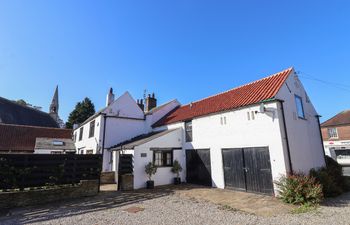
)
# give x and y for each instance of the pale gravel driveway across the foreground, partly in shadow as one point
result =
(165, 207)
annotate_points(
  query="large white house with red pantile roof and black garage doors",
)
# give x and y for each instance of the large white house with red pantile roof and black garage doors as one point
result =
(243, 139)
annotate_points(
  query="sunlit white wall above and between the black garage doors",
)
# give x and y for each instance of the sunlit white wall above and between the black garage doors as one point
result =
(238, 132)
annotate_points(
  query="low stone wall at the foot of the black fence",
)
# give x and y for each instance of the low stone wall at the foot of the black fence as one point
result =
(35, 197)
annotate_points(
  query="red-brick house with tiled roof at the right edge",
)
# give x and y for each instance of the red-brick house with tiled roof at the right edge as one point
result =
(336, 139)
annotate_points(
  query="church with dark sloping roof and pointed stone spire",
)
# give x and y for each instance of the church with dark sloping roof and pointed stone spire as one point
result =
(14, 113)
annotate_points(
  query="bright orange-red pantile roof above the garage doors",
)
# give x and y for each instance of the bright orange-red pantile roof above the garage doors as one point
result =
(245, 95)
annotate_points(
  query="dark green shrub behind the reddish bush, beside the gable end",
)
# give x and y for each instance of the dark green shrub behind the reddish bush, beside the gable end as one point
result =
(331, 178)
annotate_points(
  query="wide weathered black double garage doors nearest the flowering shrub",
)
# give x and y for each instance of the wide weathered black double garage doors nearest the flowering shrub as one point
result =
(248, 169)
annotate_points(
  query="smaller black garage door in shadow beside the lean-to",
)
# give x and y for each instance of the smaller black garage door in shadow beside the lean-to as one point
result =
(198, 169)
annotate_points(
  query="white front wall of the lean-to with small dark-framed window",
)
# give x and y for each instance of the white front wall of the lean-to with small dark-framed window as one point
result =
(164, 175)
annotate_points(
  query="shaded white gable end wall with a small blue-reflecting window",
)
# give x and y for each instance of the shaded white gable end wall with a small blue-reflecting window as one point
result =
(304, 136)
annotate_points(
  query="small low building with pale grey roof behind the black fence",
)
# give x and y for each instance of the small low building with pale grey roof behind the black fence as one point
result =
(54, 146)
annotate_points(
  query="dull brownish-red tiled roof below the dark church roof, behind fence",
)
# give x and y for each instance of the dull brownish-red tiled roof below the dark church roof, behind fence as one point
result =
(22, 138)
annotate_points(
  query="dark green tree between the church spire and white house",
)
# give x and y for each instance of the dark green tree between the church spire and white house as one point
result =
(83, 110)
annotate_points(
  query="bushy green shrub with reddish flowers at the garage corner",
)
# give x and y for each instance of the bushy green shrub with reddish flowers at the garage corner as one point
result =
(300, 189)
